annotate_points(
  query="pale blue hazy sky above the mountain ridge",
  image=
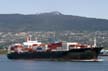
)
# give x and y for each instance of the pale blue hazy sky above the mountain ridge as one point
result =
(88, 8)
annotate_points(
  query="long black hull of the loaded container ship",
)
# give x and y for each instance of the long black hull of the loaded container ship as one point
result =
(73, 54)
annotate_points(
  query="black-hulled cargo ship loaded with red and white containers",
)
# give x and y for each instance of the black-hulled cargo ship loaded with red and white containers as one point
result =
(53, 51)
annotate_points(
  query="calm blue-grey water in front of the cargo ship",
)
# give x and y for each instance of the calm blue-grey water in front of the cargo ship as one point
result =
(33, 65)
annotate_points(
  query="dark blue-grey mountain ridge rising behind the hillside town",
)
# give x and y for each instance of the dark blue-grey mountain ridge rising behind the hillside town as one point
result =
(52, 21)
